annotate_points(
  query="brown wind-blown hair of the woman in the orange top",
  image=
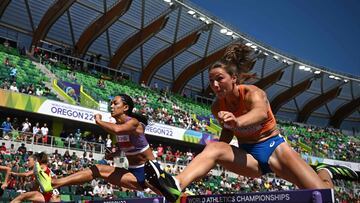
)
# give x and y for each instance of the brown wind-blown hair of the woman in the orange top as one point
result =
(236, 60)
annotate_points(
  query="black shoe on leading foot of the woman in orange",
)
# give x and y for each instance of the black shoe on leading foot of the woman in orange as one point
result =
(162, 181)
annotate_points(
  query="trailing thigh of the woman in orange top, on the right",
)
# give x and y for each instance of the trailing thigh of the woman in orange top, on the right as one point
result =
(288, 164)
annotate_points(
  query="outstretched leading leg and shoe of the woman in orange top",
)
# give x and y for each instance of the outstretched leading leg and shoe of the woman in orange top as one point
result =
(232, 158)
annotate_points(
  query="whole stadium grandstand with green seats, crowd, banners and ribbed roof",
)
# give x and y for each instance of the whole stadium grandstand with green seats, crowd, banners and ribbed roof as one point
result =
(61, 62)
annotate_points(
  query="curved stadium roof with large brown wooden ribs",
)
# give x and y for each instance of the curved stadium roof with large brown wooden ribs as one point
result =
(172, 42)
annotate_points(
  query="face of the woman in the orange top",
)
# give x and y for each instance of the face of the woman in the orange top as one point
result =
(221, 82)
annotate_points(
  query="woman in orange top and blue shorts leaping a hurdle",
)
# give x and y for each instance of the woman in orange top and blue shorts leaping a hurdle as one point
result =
(243, 111)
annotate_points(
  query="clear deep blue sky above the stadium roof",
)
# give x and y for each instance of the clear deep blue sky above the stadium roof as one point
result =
(323, 32)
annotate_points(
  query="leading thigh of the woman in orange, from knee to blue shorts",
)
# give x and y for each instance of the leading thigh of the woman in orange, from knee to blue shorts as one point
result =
(238, 161)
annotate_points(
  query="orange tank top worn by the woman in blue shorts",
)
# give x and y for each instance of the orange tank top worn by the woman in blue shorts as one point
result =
(259, 130)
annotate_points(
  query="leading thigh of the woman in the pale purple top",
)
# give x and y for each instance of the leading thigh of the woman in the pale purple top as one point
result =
(120, 177)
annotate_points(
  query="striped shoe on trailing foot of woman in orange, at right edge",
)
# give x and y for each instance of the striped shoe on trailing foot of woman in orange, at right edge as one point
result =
(338, 171)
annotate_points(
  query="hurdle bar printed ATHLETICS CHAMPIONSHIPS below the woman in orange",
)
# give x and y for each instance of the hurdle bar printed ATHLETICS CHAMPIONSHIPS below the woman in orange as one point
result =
(286, 196)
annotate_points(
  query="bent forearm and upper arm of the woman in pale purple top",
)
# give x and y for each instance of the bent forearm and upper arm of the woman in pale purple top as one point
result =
(126, 128)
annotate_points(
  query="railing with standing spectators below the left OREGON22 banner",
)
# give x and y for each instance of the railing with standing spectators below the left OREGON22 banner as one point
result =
(51, 141)
